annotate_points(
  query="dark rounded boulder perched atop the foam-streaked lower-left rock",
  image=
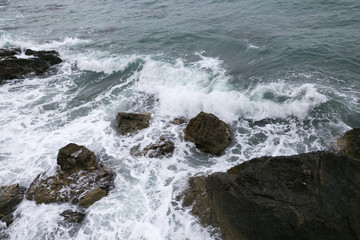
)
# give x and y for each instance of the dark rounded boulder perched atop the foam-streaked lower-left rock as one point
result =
(74, 157)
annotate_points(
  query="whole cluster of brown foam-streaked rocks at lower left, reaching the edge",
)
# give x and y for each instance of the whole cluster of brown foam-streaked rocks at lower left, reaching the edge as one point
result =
(80, 180)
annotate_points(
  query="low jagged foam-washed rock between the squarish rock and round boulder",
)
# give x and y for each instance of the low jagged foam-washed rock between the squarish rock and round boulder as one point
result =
(161, 148)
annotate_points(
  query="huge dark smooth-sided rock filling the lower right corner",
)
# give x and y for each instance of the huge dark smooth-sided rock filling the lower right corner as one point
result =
(307, 196)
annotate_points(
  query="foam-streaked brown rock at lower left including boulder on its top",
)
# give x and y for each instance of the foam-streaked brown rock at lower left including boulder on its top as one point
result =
(79, 176)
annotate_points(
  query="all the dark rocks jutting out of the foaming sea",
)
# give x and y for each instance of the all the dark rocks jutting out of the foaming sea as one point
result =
(313, 195)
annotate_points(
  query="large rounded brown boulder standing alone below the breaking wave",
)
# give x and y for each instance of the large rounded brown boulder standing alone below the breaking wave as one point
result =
(209, 133)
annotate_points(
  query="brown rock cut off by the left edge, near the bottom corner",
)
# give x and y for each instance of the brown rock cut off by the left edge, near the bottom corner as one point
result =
(10, 197)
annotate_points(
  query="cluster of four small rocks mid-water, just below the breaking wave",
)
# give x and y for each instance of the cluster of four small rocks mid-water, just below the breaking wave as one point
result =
(209, 133)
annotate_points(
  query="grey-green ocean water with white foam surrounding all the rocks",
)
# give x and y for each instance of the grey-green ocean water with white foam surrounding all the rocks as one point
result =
(285, 76)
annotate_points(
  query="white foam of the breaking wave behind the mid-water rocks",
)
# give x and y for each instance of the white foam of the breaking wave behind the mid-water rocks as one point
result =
(204, 86)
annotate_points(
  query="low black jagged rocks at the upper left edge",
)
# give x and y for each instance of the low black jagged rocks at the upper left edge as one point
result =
(12, 67)
